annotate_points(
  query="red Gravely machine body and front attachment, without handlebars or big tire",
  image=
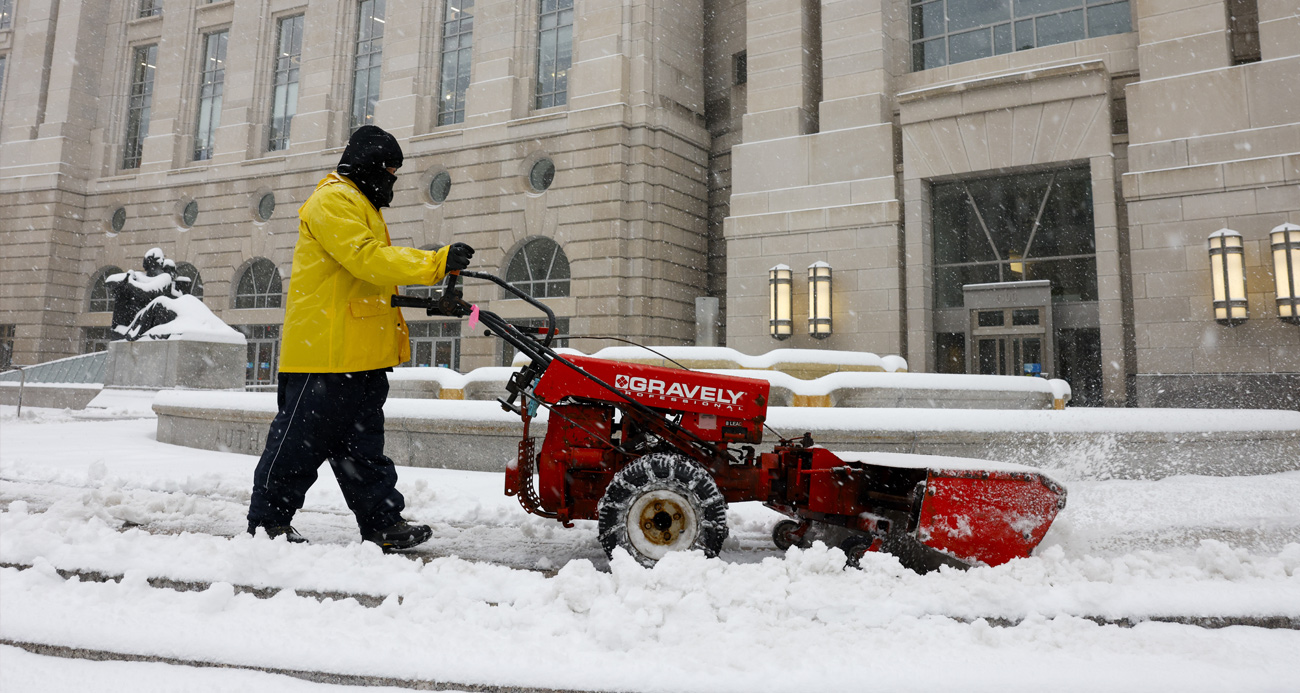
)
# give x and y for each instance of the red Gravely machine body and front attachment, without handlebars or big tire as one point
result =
(929, 510)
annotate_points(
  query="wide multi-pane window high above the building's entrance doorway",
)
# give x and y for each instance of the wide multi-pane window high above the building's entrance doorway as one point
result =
(948, 32)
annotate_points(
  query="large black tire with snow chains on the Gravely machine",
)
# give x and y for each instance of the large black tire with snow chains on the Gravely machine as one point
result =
(678, 480)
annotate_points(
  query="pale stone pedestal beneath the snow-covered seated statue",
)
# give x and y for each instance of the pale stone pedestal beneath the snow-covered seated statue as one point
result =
(176, 363)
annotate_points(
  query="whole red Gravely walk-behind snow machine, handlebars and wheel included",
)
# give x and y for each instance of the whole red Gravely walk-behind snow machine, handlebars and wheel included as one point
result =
(655, 456)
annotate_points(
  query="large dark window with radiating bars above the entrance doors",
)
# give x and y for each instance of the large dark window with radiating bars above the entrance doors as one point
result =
(1013, 228)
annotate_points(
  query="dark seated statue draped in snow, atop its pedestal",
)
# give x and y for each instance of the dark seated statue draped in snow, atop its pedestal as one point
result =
(157, 304)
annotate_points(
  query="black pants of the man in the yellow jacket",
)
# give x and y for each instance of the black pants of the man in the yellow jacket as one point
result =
(335, 417)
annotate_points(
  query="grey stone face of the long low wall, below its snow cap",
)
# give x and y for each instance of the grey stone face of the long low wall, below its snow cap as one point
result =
(488, 447)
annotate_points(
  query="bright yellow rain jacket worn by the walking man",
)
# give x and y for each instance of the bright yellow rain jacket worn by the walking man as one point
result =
(340, 319)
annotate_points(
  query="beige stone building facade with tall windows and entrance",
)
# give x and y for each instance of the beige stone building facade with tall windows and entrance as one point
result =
(998, 187)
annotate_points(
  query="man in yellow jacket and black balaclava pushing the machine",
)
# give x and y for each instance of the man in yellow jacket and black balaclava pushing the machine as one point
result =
(340, 341)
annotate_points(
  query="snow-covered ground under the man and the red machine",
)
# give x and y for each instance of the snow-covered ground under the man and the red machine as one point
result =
(504, 599)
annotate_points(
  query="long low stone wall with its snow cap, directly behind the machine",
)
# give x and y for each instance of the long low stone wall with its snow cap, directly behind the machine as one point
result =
(1076, 444)
